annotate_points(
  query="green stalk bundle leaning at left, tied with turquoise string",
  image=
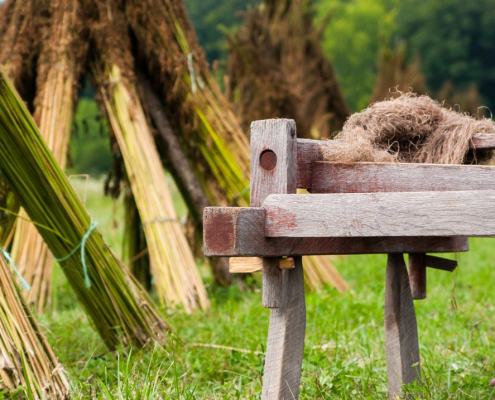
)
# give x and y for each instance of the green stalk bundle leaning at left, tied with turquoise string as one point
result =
(117, 305)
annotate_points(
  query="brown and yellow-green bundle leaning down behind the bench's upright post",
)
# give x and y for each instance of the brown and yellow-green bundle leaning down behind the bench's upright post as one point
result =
(211, 134)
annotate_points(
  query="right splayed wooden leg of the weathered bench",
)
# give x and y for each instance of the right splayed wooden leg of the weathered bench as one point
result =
(401, 330)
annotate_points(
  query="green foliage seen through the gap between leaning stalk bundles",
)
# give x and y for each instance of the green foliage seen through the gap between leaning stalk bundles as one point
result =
(90, 144)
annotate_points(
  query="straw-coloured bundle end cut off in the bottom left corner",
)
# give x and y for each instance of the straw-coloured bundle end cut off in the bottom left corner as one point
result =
(28, 364)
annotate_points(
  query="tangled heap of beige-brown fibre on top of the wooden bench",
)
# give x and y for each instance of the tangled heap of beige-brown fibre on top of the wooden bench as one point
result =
(409, 128)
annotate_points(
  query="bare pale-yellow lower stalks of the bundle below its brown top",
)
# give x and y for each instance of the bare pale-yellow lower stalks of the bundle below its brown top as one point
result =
(176, 275)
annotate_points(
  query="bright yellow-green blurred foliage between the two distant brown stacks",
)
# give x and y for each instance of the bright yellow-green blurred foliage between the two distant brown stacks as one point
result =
(351, 41)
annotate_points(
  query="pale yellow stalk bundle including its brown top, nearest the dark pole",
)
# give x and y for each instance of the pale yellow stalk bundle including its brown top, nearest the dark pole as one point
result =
(176, 276)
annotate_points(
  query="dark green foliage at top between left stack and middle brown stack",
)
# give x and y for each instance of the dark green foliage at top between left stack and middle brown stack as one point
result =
(208, 18)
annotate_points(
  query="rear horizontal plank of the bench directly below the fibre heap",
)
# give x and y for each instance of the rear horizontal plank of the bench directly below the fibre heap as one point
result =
(386, 177)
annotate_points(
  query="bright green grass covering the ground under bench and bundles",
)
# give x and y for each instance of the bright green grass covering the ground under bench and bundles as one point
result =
(344, 354)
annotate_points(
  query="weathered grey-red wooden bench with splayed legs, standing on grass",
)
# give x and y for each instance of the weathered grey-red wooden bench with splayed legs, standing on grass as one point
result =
(353, 208)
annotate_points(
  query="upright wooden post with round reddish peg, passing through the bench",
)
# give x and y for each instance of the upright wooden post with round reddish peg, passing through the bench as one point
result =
(273, 170)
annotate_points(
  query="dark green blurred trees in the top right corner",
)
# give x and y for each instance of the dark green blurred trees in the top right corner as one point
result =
(454, 39)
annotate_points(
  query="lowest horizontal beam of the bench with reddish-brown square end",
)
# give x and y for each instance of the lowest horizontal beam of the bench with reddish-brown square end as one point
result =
(240, 232)
